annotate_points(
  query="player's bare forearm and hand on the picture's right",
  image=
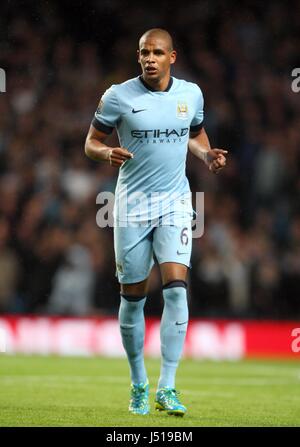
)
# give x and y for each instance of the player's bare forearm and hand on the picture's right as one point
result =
(199, 146)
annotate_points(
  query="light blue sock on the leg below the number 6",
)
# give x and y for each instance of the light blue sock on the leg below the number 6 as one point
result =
(172, 331)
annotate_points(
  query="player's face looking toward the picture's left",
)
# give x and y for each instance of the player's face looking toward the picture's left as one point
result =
(155, 58)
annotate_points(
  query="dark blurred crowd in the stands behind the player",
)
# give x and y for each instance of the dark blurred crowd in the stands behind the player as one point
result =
(53, 257)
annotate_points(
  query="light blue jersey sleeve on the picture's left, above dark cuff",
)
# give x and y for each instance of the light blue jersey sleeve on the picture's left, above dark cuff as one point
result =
(108, 112)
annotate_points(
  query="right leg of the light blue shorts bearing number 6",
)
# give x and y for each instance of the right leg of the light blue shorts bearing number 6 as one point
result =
(173, 244)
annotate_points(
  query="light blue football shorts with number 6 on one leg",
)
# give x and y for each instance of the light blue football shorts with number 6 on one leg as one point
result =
(135, 248)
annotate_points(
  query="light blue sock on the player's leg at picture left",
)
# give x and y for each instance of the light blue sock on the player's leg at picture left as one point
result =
(132, 327)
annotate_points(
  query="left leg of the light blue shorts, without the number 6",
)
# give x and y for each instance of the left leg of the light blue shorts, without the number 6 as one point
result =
(133, 254)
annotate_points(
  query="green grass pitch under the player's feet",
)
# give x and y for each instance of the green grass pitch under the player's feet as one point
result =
(57, 391)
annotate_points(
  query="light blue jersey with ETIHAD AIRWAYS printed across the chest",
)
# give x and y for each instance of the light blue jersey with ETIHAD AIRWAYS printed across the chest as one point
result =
(154, 126)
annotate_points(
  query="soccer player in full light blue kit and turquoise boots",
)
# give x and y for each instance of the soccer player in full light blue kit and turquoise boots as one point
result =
(157, 117)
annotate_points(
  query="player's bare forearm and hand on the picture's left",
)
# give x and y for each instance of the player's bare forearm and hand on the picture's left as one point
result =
(96, 149)
